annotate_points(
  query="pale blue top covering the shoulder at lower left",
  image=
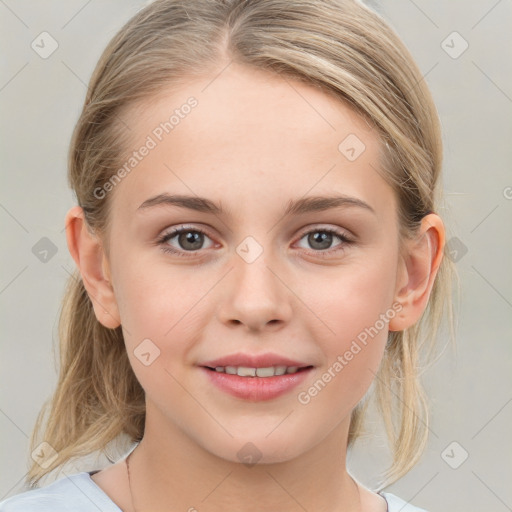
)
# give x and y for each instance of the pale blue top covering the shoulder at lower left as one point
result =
(76, 492)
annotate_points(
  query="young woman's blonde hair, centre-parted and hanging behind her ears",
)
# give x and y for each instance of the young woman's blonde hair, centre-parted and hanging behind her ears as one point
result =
(342, 47)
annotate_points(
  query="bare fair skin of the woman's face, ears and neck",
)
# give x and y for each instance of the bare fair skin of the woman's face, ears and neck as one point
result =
(254, 142)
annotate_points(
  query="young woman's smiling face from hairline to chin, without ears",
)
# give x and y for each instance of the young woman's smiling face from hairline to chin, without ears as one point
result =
(250, 275)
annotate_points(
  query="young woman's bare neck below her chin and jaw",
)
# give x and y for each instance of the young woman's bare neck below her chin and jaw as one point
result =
(173, 471)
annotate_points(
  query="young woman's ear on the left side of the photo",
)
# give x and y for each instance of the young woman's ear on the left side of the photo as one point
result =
(87, 251)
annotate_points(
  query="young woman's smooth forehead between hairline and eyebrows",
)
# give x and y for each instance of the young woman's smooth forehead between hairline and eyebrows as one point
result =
(253, 139)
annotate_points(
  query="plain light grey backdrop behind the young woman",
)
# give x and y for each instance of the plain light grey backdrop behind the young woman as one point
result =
(471, 390)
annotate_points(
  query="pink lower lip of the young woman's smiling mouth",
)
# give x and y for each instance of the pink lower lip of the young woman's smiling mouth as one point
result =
(256, 388)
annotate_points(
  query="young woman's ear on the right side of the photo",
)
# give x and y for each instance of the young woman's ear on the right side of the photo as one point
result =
(419, 264)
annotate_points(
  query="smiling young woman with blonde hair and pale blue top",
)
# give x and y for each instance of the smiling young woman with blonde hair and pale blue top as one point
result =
(257, 244)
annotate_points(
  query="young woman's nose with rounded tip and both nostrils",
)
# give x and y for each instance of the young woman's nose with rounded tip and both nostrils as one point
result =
(255, 295)
